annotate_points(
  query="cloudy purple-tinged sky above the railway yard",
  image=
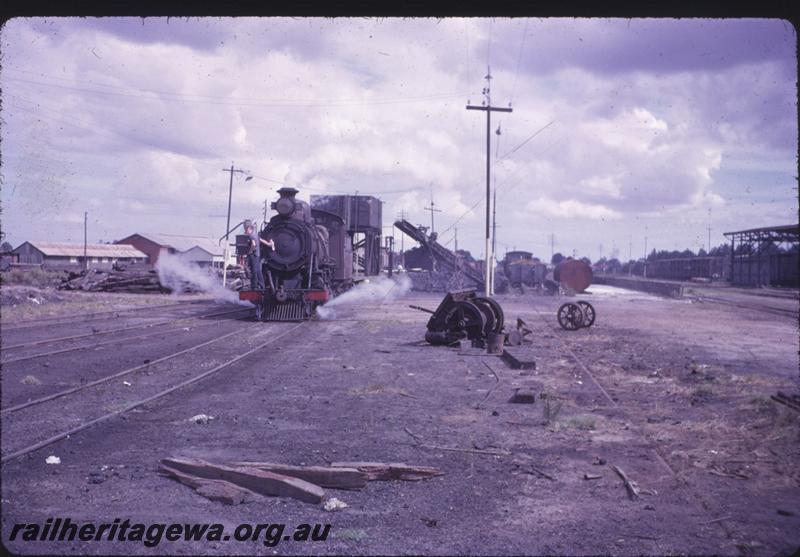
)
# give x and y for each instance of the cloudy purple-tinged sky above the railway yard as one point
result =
(621, 128)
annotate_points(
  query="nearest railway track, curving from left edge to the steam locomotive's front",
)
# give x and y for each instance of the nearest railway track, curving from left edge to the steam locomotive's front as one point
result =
(20, 421)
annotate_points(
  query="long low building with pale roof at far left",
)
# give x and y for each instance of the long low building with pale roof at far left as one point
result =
(65, 255)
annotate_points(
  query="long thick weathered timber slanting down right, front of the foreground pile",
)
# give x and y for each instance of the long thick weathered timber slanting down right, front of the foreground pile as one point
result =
(258, 481)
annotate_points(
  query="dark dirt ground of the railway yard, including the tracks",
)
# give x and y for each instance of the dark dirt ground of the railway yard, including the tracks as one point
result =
(675, 394)
